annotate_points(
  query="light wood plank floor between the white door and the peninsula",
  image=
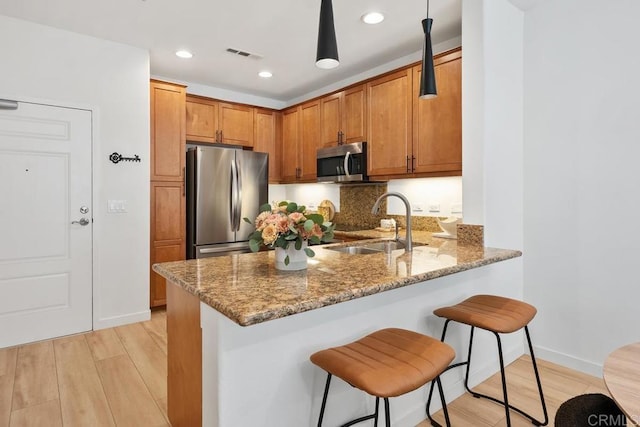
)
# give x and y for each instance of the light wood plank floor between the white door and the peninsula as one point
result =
(104, 378)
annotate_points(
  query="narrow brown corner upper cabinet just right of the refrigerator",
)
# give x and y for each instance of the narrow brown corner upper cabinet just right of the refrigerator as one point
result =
(268, 139)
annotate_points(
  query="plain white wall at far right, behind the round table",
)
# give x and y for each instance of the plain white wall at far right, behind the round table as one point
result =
(582, 145)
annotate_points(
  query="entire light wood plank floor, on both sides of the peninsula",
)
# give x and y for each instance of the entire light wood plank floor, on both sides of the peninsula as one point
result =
(118, 377)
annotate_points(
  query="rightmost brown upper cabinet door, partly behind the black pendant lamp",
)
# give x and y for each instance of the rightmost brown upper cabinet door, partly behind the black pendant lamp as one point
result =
(437, 122)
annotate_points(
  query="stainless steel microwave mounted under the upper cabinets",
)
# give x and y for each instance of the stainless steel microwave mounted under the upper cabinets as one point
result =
(343, 163)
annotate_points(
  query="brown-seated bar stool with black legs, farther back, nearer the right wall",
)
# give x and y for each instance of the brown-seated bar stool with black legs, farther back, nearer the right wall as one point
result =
(498, 315)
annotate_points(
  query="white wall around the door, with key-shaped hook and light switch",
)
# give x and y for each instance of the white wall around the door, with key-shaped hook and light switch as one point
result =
(63, 68)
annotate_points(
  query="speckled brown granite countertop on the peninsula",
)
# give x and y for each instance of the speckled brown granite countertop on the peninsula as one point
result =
(249, 290)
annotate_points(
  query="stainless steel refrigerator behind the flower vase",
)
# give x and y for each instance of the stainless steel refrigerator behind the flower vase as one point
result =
(224, 185)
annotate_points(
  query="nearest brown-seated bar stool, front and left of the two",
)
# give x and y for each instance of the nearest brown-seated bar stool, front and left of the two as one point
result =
(386, 363)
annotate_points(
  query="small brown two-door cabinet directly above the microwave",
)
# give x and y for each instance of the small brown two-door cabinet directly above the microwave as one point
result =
(343, 117)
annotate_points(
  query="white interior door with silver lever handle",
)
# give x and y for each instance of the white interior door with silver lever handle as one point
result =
(45, 223)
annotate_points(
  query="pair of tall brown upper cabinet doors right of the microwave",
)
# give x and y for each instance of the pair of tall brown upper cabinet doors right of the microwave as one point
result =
(411, 137)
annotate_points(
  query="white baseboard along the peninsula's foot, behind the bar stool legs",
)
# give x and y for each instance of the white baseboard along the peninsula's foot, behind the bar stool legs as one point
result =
(454, 389)
